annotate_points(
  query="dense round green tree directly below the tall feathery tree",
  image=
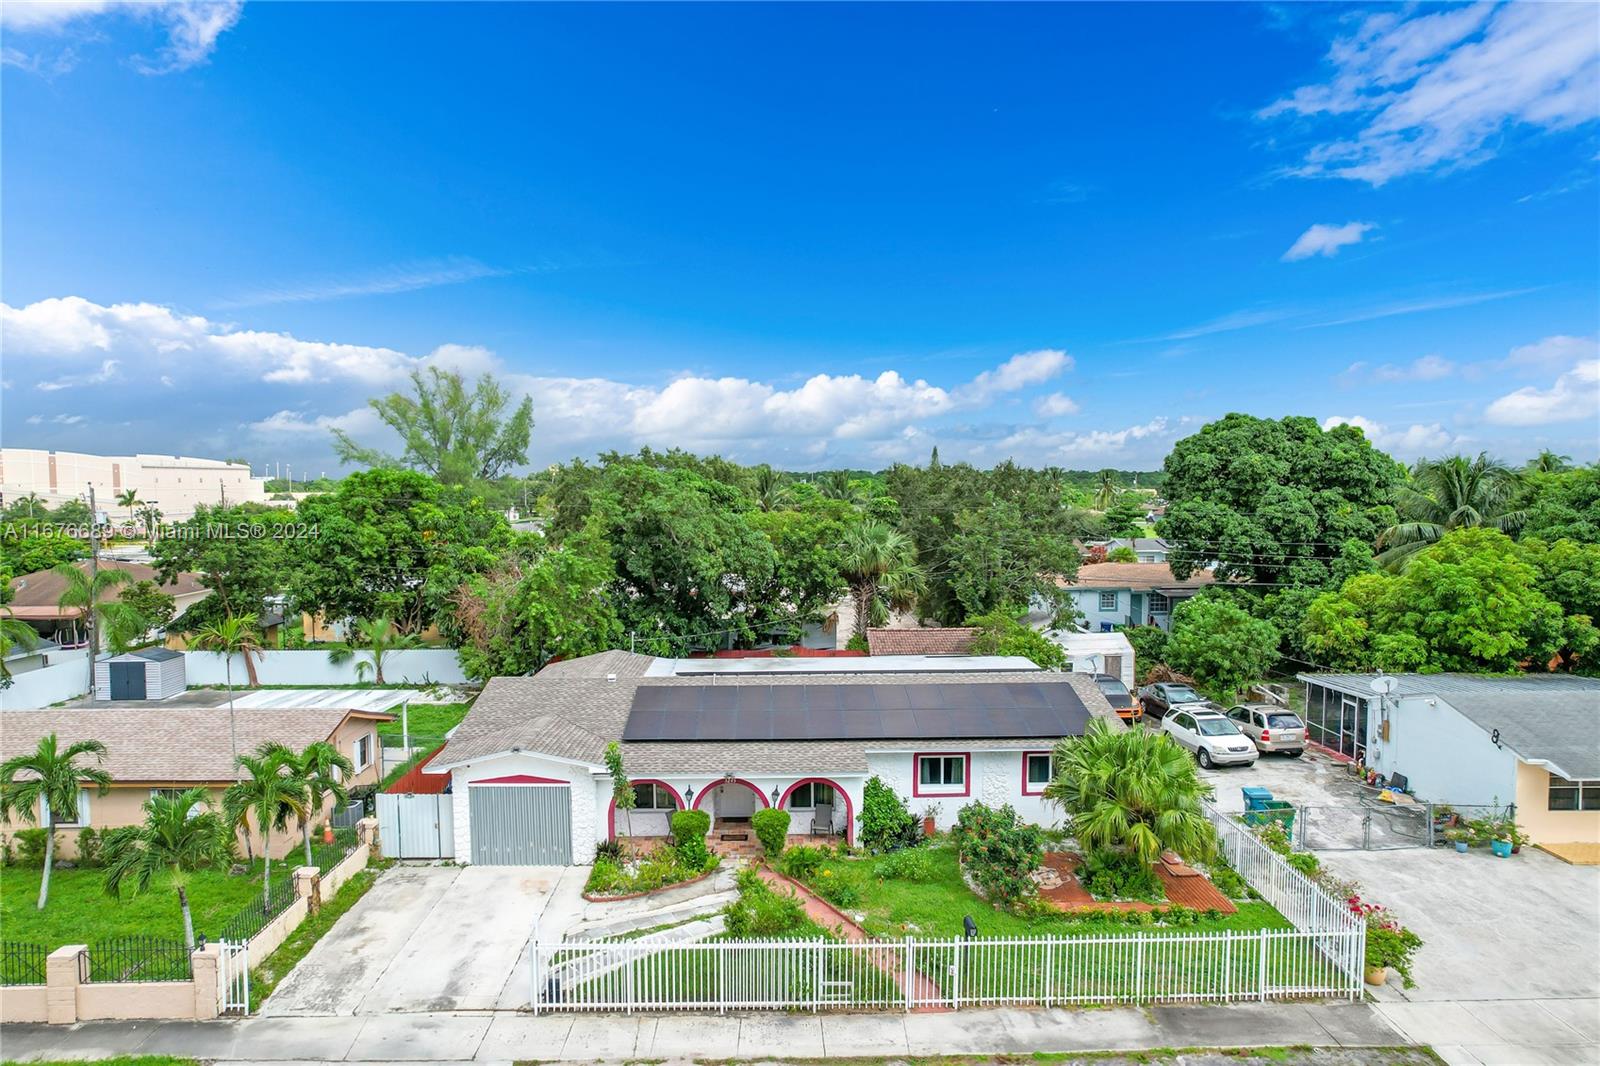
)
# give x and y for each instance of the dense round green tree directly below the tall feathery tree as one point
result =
(393, 545)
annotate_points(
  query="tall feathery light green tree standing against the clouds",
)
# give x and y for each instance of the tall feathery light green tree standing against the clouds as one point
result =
(458, 435)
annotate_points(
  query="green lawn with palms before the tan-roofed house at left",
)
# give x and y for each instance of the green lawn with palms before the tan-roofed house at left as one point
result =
(79, 912)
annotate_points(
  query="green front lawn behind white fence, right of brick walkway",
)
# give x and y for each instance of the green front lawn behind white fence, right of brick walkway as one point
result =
(938, 905)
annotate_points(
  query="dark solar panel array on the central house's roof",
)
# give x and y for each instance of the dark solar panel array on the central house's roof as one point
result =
(799, 713)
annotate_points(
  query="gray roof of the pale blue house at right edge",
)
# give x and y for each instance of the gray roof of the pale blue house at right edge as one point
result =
(1551, 718)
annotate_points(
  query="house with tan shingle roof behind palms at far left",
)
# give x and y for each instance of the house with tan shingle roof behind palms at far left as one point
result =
(182, 748)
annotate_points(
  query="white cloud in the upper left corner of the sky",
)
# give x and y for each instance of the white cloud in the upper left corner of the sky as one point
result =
(193, 30)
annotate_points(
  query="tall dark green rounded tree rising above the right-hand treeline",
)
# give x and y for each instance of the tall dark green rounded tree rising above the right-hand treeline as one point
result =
(1274, 500)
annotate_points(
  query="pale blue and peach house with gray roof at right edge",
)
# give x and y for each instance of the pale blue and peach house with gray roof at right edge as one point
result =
(1468, 740)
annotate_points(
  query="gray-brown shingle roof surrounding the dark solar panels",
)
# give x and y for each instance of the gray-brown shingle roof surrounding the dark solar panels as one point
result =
(575, 713)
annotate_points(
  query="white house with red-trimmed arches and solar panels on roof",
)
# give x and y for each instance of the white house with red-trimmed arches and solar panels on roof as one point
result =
(732, 737)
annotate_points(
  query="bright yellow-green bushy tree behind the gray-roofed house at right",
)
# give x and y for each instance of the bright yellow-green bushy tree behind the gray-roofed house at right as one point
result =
(1470, 603)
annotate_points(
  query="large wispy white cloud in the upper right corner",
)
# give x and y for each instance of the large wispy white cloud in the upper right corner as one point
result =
(1439, 89)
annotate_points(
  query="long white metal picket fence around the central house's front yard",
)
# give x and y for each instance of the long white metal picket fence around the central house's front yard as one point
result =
(1324, 956)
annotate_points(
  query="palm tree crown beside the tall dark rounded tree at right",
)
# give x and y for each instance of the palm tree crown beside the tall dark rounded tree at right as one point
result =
(1450, 494)
